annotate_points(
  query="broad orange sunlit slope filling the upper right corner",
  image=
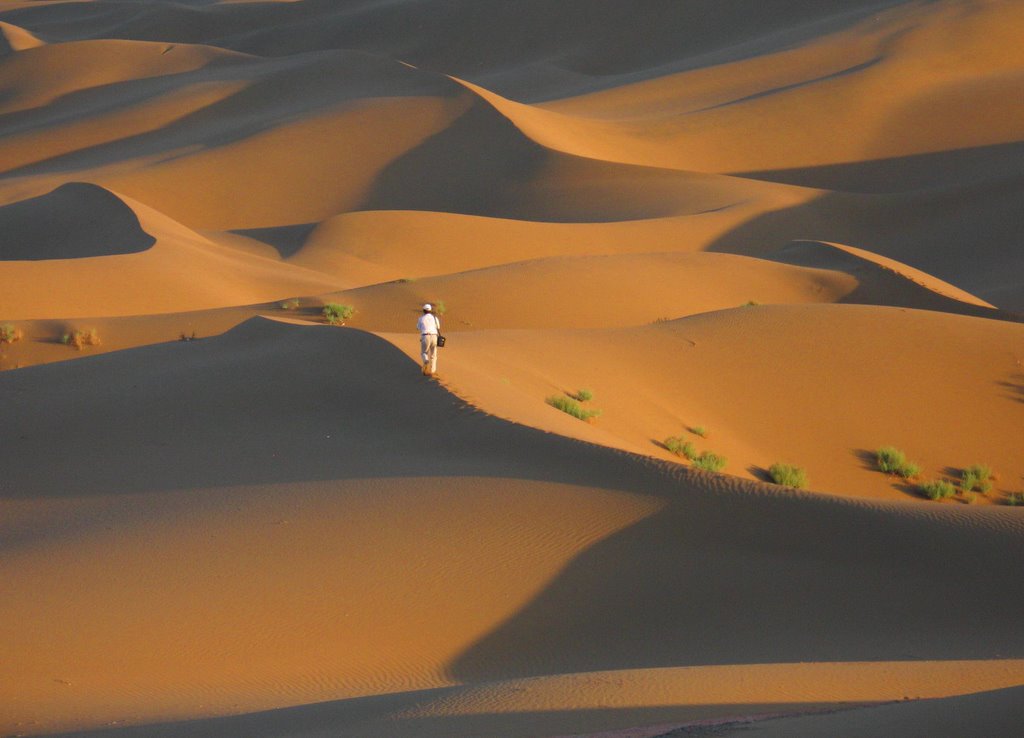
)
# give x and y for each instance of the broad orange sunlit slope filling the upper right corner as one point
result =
(914, 80)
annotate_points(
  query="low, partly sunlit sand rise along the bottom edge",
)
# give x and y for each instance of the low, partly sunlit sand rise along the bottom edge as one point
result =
(779, 698)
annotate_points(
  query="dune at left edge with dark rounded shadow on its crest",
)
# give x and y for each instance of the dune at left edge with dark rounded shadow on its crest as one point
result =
(83, 251)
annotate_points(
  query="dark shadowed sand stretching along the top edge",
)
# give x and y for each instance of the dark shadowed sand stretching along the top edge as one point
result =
(506, 45)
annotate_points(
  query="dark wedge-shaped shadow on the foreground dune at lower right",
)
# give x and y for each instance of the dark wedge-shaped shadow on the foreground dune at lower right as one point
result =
(763, 579)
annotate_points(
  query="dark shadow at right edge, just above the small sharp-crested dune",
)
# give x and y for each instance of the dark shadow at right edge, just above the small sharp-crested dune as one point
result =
(956, 218)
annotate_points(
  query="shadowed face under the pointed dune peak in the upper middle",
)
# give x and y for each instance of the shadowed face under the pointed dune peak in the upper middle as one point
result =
(484, 165)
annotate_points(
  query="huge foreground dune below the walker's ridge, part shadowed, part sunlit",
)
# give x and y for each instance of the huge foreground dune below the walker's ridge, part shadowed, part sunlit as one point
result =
(300, 537)
